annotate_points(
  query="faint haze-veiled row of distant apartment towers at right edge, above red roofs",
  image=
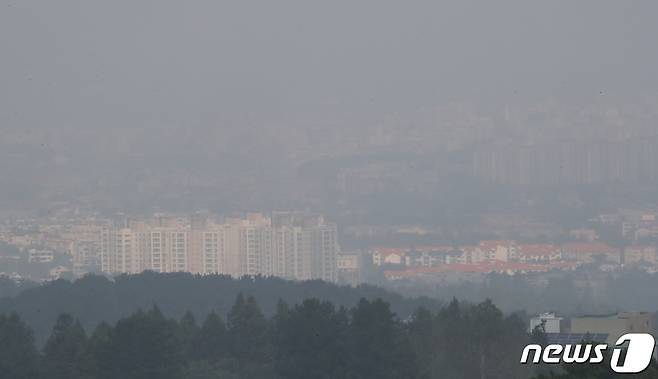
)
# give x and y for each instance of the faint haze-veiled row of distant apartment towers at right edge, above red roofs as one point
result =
(568, 162)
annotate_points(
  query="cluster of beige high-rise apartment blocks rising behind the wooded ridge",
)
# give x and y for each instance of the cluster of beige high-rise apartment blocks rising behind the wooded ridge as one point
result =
(289, 245)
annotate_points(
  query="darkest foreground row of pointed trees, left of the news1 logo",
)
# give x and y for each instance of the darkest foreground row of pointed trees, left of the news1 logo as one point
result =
(312, 339)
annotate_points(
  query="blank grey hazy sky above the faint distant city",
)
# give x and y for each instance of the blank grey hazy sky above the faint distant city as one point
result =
(162, 62)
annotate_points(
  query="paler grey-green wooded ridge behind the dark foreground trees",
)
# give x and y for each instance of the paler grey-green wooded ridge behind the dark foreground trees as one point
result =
(94, 299)
